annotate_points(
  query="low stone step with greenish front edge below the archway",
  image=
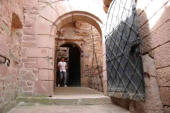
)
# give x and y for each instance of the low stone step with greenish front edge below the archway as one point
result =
(98, 100)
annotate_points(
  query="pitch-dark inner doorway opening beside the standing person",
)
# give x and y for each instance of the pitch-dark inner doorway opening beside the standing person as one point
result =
(73, 65)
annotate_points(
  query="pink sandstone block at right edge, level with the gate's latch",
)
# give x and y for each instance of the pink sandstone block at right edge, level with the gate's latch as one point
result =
(162, 55)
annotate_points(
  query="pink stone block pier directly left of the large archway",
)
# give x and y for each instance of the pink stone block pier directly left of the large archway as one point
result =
(36, 71)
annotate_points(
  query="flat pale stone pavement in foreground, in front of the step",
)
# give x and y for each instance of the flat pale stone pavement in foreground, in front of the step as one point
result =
(68, 109)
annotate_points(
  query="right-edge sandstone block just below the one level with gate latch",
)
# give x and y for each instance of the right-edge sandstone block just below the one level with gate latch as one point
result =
(164, 76)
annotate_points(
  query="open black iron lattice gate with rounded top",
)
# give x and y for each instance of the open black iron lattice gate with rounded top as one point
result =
(123, 54)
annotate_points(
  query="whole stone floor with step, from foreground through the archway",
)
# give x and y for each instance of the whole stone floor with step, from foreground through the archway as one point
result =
(68, 100)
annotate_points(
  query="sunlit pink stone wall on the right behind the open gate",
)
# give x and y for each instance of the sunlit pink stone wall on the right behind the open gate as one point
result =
(154, 30)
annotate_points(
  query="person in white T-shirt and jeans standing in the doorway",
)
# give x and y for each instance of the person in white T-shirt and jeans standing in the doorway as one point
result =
(62, 72)
